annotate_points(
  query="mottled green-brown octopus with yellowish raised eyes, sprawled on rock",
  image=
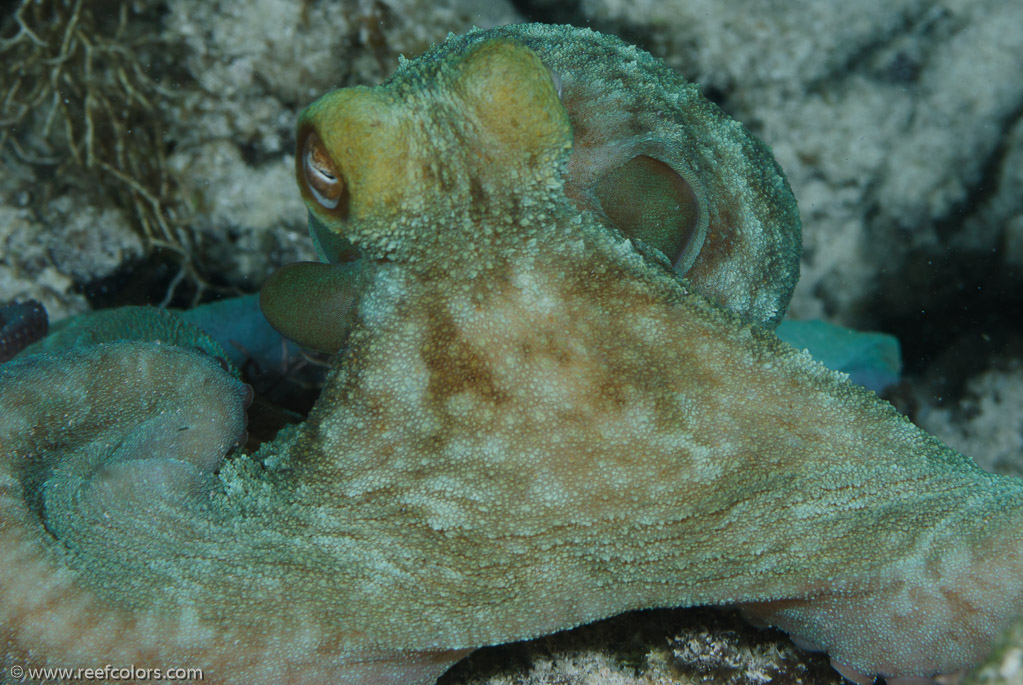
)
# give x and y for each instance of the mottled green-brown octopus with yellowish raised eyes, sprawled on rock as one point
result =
(556, 396)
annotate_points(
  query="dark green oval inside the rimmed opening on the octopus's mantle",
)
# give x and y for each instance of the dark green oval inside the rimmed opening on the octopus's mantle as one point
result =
(649, 201)
